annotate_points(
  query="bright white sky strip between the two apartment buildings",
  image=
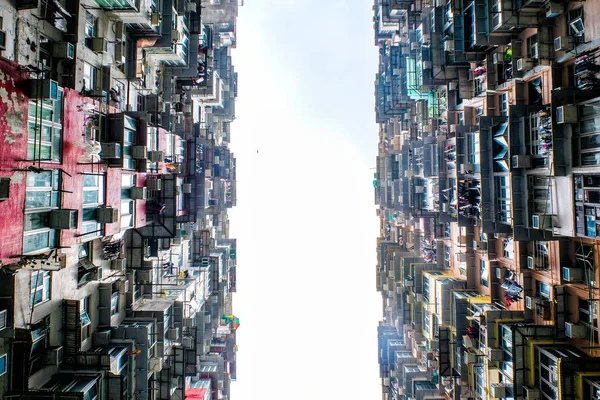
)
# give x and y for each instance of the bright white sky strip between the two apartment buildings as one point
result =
(305, 219)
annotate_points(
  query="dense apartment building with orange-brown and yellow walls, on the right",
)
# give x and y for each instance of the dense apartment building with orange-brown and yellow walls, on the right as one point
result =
(486, 186)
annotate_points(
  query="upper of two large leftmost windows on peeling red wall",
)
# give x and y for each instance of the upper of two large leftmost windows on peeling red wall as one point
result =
(44, 129)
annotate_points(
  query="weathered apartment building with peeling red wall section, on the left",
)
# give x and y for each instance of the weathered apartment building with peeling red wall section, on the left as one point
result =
(116, 178)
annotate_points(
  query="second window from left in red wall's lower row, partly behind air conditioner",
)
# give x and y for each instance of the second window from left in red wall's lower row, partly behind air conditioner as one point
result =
(93, 197)
